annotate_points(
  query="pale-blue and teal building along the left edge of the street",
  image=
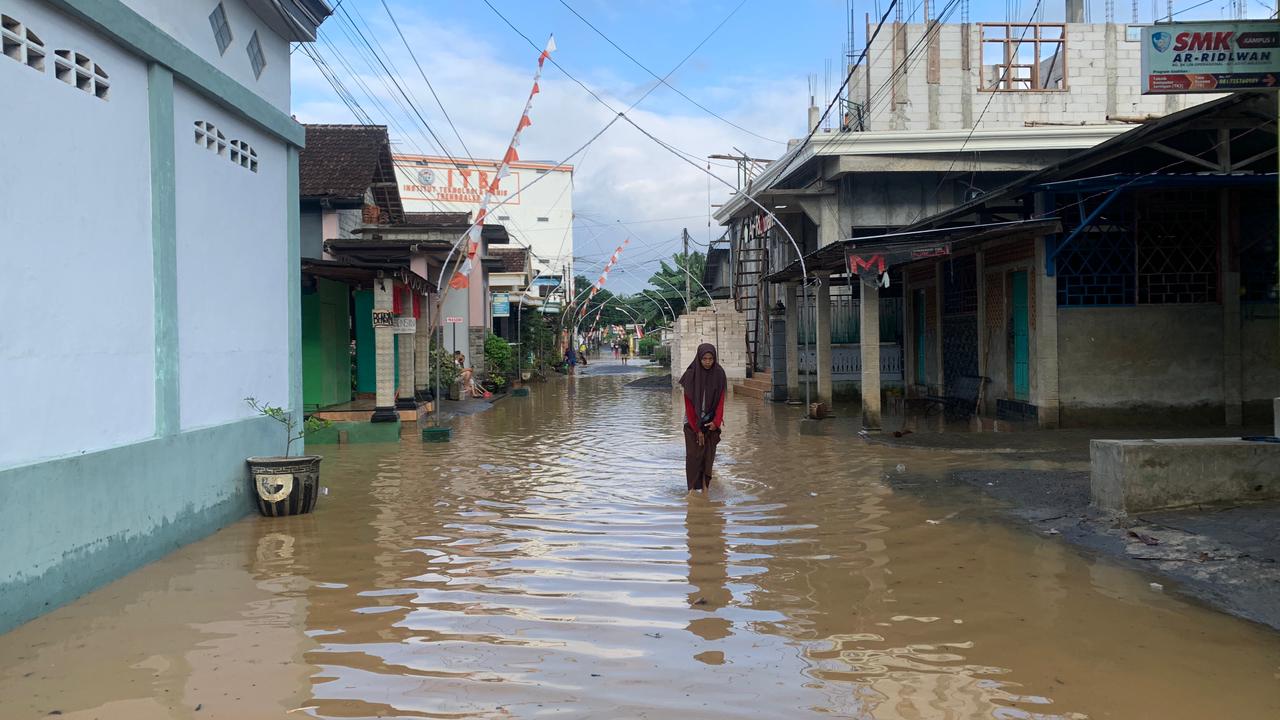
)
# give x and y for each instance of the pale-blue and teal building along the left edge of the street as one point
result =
(177, 275)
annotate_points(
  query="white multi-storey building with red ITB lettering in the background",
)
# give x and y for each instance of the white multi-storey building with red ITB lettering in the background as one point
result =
(537, 202)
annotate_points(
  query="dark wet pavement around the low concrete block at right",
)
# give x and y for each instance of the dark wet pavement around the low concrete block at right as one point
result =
(1228, 557)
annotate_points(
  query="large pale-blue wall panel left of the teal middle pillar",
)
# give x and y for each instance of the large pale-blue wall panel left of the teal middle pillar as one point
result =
(76, 306)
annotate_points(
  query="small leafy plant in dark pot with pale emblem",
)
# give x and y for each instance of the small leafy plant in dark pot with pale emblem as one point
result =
(286, 485)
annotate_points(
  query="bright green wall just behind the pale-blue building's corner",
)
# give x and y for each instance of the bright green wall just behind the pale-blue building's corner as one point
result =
(326, 345)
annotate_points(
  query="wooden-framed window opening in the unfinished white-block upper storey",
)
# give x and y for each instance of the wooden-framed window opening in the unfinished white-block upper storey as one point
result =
(1023, 58)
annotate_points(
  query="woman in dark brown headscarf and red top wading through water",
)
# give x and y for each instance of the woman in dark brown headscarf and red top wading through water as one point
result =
(705, 385)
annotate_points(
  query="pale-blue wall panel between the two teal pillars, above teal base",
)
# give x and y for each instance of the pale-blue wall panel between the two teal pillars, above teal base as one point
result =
(232, 270)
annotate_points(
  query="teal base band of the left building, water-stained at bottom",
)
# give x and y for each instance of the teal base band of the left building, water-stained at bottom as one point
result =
(77, 523)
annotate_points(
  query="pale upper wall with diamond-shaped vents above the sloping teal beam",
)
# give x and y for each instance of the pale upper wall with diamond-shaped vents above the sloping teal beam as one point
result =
(193, 30)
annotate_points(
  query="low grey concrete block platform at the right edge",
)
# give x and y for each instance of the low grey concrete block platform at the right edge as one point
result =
(1139, 476)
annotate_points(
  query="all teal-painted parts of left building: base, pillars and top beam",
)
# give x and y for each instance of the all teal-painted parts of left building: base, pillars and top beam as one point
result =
(71, 525)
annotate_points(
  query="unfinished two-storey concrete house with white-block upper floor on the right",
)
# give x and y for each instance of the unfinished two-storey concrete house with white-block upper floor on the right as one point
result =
(925, 133)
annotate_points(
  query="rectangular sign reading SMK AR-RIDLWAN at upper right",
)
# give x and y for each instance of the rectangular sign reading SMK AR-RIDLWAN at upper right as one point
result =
(1217, 57)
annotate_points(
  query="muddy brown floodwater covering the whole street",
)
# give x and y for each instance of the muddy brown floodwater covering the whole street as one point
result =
(547, 562)
